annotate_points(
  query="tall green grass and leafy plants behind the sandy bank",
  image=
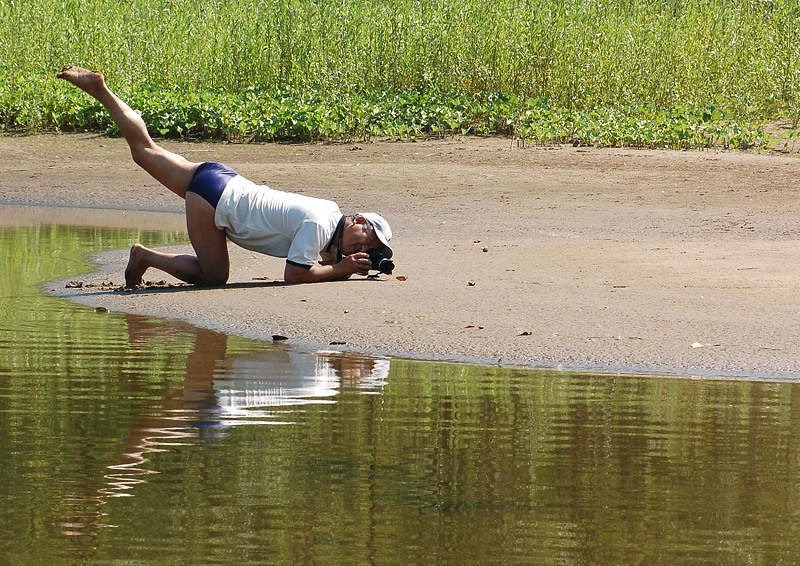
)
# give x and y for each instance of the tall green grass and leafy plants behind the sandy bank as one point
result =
(648, 73)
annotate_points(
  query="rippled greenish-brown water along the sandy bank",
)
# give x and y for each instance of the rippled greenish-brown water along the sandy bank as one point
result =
(134, 439)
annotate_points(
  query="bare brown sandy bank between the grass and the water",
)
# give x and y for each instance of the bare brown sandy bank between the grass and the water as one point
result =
(683, 263)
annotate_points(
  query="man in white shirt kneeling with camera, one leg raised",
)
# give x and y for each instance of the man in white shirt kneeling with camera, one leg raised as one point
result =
(318, 242)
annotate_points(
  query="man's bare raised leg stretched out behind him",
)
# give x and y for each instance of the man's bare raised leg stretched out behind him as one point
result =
(170, 169)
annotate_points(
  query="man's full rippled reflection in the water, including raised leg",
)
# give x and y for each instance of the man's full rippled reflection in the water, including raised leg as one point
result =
(219, 390)
